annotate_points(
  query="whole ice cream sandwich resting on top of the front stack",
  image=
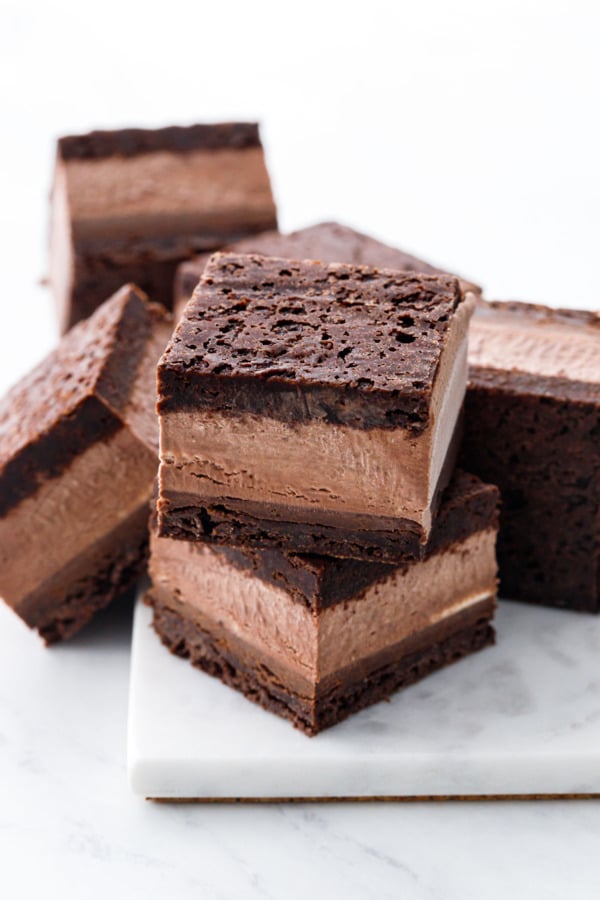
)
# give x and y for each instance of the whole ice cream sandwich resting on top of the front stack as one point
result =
(311, 407)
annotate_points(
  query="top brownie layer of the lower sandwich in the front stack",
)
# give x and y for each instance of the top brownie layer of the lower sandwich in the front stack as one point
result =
(468, 506)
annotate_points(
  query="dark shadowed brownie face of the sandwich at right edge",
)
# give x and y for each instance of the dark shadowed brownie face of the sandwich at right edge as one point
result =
(544, 455)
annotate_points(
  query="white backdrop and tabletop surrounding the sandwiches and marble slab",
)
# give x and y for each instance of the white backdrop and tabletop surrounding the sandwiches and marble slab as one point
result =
(464, 132)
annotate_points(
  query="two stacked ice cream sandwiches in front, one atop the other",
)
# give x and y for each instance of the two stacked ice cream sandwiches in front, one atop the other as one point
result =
(314, 546)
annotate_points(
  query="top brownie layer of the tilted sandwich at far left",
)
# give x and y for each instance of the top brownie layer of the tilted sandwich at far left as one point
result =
(76, 396)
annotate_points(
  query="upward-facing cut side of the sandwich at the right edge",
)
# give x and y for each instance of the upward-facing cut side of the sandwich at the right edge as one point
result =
(536, 350)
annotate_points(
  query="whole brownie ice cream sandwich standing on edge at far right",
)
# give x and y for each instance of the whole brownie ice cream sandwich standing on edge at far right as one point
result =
(533, 428)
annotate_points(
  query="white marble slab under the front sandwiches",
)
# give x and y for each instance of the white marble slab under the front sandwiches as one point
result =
(520, 718)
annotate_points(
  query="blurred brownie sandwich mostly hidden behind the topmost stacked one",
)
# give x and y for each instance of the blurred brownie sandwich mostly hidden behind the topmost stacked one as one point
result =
(328, 242)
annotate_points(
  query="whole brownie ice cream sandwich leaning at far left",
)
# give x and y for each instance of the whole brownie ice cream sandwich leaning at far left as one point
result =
(78, 460)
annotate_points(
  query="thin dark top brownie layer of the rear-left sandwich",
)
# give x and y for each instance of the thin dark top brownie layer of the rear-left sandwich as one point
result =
(179, 139)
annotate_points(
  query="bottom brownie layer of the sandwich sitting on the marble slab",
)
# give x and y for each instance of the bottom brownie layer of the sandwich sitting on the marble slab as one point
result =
(339, 696)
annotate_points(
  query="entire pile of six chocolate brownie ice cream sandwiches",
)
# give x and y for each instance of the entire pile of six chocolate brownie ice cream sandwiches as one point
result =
(312, 541)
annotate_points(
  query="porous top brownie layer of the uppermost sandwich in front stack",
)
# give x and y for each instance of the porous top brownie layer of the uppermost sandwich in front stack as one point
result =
(274, 325)
